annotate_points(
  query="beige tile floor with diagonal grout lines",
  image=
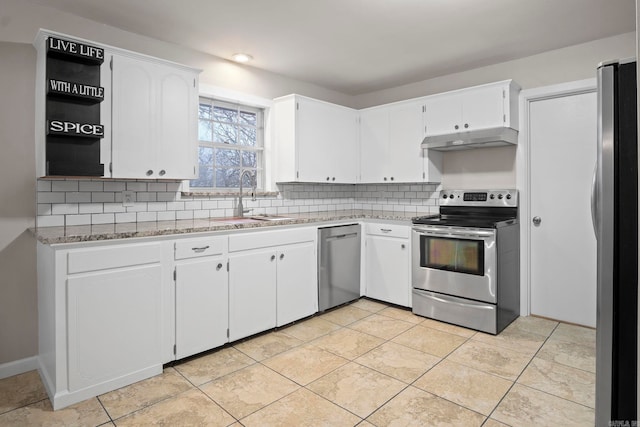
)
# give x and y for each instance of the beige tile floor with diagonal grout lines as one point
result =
(364, 364)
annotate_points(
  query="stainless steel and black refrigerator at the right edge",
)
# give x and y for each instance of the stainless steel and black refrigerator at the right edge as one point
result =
(615, 216)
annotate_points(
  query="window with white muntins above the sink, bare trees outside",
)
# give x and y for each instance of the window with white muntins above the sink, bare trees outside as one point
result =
(230, 142)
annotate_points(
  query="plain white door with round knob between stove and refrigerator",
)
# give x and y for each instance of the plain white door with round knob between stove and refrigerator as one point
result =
(563, 246)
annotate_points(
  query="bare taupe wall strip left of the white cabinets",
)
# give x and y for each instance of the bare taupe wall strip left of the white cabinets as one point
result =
(18, 308)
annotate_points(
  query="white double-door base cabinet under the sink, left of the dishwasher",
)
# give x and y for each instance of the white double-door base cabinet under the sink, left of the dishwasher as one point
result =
(272, 279)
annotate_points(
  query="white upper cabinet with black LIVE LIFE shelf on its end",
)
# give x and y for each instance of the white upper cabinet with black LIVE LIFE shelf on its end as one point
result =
(143, 124)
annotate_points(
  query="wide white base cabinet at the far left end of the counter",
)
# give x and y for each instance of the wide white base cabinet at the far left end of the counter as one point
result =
(101, 322)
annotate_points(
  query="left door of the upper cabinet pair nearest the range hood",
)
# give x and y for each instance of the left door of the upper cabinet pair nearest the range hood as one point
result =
(374, 138)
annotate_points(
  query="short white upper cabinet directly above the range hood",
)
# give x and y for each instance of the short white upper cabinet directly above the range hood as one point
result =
(480, 107)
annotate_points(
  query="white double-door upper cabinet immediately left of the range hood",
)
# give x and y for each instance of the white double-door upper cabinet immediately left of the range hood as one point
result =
(390, 137)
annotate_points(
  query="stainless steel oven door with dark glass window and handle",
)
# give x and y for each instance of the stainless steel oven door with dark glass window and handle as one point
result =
(456, 261)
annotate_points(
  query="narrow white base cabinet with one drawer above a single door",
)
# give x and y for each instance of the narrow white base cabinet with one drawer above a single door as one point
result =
(202, 295)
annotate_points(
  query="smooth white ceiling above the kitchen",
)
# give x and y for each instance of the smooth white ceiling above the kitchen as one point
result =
(359, 46)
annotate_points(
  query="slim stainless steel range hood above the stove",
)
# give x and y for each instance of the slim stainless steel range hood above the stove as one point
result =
(493, 137)
